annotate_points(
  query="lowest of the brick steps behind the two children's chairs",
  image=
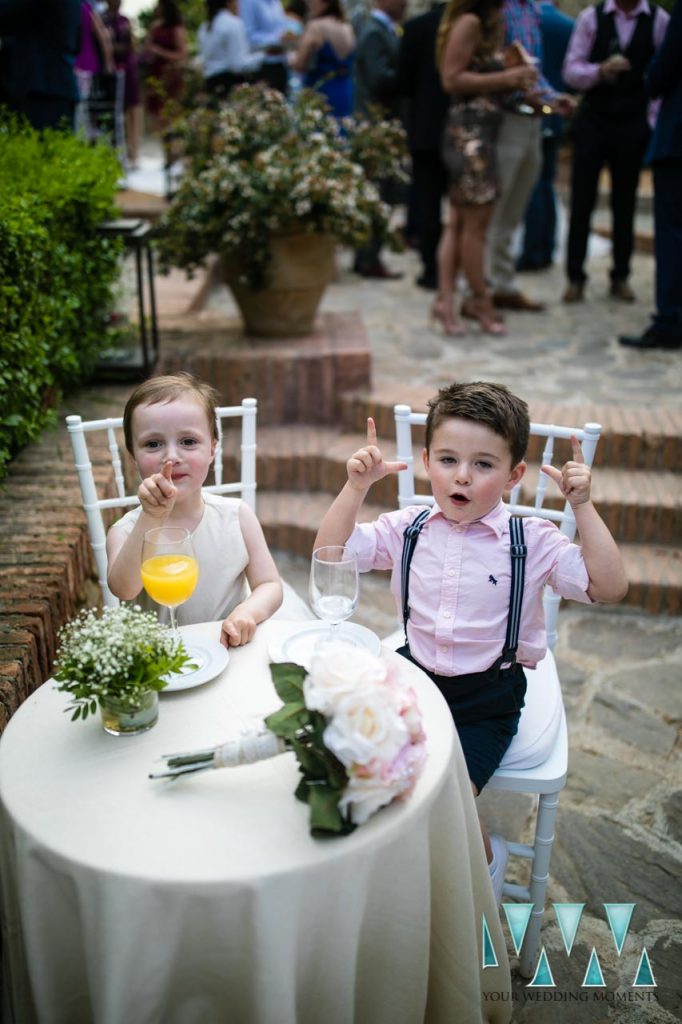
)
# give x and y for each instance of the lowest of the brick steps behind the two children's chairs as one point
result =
(290, 522)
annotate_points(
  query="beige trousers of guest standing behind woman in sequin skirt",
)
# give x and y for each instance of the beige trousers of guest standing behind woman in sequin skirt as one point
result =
(520, 159)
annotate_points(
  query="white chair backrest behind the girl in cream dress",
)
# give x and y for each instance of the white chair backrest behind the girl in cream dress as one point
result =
(95, 505)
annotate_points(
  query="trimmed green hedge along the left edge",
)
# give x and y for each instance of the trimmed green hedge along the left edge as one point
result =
(56, 274)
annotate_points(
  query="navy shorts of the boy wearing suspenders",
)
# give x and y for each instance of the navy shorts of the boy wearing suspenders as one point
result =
(486, 713)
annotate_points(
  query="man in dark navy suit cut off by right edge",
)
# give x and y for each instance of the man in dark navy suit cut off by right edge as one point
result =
(665, 79)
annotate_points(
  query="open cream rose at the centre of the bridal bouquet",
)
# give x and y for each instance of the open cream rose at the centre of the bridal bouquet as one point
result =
(366, 727)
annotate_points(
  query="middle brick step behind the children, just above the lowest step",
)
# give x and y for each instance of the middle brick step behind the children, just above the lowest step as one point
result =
(637, 505)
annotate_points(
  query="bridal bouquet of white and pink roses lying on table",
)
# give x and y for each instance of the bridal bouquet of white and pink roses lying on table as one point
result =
(356, 730)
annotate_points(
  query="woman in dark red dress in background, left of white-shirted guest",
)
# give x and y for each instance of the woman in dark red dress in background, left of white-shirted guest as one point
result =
(165, 51)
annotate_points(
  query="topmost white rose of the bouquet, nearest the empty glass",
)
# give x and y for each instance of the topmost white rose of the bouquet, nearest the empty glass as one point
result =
(339, 670)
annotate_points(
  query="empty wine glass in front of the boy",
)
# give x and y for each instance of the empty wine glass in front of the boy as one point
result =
(334, 587)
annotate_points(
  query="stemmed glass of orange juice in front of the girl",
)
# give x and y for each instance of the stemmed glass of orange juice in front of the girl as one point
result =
(169, 571)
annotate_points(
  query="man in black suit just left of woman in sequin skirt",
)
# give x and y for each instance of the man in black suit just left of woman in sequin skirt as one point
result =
(418, 79)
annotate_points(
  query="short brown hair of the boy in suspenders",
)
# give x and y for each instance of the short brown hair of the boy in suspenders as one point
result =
(492, 405)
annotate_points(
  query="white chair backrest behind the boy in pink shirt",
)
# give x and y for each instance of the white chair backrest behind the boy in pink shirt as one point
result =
(588, 436)
